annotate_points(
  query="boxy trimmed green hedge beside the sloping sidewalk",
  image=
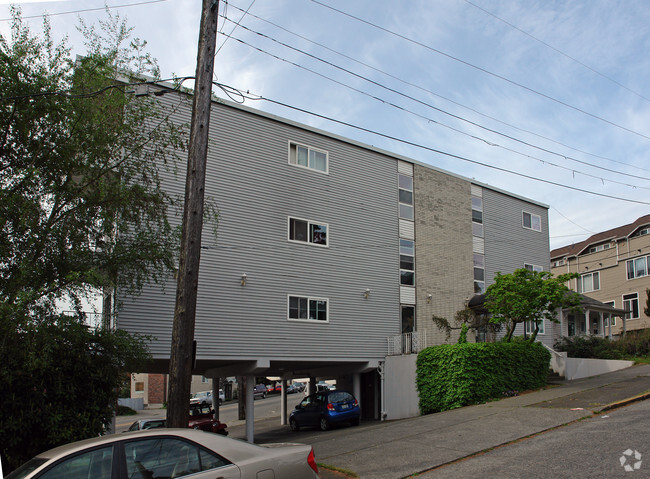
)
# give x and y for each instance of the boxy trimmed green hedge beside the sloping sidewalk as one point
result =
(456, 375)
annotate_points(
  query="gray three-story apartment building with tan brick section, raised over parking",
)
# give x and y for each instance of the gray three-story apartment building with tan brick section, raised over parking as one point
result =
(331, 255)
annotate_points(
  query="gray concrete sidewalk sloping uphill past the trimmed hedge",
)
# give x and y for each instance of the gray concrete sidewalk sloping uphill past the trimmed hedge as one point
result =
(398, 449)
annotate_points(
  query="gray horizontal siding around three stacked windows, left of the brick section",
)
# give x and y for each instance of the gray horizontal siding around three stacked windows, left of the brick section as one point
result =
(256, 190)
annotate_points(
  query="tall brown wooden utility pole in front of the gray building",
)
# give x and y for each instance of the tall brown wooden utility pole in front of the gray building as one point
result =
(180, 366)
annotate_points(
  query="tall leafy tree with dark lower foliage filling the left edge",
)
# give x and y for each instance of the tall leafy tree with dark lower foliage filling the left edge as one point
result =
(82, 211)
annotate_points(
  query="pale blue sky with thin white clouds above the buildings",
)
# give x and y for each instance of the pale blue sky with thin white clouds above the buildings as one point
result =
(509, 92)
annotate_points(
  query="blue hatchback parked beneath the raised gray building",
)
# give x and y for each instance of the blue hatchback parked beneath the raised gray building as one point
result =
(324, 409)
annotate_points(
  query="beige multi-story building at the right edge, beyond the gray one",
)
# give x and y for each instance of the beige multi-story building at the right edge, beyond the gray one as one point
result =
(614, 268)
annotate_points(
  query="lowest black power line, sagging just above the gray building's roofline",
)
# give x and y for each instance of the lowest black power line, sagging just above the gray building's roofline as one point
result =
(248, 96)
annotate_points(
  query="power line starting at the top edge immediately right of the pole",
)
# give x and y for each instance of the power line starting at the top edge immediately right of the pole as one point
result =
(424, 89)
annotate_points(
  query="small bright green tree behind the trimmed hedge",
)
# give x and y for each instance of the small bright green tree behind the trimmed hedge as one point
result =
(528, 295)
